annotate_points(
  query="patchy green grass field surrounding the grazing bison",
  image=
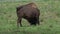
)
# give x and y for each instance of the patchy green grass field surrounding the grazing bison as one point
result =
(50, 14)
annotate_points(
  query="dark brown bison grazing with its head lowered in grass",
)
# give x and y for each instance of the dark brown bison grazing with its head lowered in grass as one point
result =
(29, 12)
